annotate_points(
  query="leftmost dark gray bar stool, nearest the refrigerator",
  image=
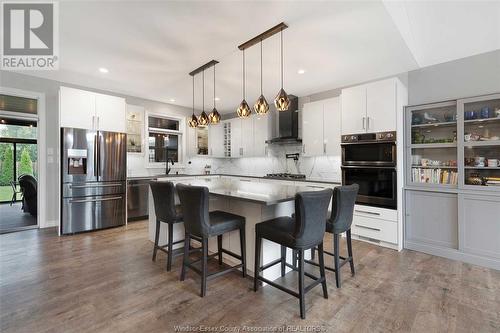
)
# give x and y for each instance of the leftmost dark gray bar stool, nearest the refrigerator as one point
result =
(167, 212)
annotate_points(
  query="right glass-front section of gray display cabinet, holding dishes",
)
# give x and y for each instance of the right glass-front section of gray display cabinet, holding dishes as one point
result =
(480, 136)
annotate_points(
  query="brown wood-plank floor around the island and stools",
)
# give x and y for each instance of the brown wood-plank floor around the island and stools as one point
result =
(106, 282)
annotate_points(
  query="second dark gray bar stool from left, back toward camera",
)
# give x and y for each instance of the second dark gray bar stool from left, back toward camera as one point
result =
(200, 223)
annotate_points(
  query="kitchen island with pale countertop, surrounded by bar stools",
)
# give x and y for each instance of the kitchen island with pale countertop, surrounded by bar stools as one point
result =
(257, 199)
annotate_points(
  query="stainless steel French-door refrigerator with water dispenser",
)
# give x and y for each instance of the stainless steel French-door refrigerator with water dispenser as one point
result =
(93, 180)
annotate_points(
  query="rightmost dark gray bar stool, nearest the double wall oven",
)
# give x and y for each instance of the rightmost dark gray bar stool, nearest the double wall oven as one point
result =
(344, 199)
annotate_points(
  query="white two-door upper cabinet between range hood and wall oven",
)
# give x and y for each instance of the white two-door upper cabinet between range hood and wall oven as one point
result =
(321, 127)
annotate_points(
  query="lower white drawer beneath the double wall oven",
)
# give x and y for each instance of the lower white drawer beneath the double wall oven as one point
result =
(386, 231)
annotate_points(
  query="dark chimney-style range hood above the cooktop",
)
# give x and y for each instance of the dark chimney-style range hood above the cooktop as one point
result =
(288, 124)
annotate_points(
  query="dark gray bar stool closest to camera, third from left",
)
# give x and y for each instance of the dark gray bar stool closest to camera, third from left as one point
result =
(301, 233)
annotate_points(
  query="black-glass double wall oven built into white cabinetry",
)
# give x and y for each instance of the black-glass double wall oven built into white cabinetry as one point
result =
(369, 160)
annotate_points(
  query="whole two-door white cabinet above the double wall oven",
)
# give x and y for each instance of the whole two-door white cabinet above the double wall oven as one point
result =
(372, 107)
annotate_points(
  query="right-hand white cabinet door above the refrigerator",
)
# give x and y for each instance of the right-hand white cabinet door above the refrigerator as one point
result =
(110, 113)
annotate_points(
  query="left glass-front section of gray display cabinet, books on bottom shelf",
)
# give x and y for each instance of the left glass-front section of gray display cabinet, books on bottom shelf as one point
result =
(431, 145)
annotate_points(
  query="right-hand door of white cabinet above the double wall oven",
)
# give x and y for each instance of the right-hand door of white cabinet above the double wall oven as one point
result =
(381, 106)
